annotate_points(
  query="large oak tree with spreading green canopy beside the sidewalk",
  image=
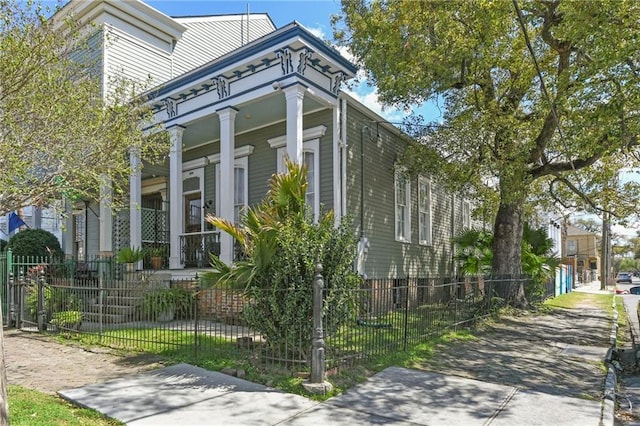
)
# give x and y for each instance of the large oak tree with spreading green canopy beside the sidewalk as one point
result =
(541, 100)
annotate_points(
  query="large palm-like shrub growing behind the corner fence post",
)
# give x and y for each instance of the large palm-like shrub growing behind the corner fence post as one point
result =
(283, 246)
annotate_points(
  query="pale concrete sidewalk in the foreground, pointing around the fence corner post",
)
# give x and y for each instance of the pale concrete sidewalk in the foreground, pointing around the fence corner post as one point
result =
(188, 395)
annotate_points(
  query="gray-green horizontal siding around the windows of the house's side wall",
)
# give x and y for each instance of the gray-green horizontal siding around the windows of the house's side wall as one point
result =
(388, 257)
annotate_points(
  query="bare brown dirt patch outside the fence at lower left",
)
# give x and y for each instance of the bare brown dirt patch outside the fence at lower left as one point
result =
(38, 362)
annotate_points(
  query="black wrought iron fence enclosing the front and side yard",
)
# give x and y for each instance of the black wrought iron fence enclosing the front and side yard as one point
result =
(146, 311)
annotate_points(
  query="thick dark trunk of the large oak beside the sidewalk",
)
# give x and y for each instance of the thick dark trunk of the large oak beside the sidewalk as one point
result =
(507, 253)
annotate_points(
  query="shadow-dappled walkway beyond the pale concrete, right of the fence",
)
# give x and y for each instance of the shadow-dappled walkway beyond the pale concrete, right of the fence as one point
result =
(533, 351)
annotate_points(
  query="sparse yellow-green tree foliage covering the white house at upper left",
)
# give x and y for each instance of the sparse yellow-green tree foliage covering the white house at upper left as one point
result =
(49, 75)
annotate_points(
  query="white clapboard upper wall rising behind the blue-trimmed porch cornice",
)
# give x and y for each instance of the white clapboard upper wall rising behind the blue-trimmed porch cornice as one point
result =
(209, 37)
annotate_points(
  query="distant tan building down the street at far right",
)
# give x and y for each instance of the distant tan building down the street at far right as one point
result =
(581, 251)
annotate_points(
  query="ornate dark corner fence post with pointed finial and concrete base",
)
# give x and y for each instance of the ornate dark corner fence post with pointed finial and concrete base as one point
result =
(317, 383)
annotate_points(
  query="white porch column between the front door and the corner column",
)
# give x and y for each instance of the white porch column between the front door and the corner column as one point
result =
(227, 146)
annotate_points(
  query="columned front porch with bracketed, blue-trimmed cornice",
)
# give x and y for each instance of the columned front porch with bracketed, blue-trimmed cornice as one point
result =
(231, 123)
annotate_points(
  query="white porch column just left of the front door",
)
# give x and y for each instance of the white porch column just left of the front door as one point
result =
(176, 221)
